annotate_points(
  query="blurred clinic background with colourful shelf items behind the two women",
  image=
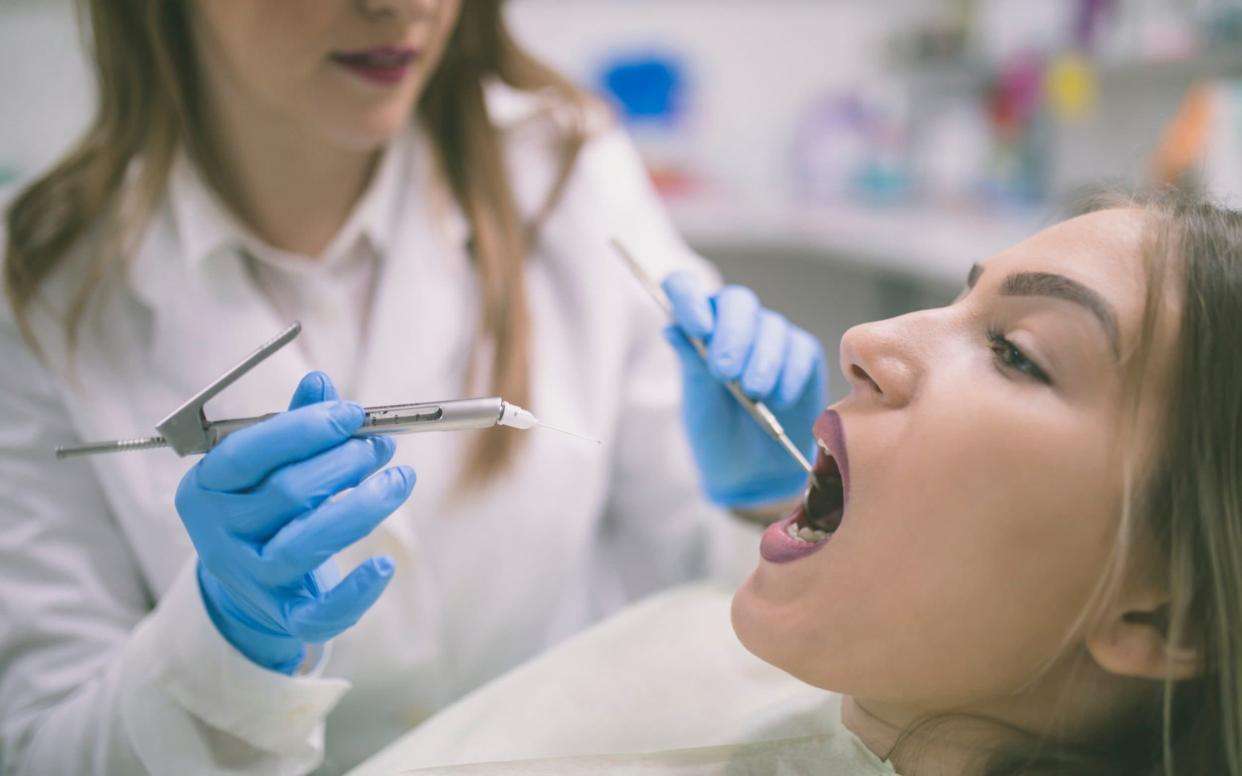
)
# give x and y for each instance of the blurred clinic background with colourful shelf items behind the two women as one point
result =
(848, 160)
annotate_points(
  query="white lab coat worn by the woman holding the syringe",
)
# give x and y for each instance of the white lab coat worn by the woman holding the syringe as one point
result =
(109, 662)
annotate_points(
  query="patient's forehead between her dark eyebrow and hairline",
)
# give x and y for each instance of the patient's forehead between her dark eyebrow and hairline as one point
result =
(1104, 251)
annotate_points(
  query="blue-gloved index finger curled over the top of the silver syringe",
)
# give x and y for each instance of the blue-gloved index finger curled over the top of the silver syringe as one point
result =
(247, 458)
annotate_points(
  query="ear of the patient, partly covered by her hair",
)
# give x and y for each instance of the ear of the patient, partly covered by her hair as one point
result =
(1133, 641)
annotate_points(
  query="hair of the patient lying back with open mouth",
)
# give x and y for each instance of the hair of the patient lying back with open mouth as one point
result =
(1184, 490)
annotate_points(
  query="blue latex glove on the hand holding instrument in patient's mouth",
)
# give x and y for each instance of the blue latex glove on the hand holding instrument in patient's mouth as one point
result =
(774, 362)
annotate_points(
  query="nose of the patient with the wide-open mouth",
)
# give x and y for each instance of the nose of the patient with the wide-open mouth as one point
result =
(882, 361)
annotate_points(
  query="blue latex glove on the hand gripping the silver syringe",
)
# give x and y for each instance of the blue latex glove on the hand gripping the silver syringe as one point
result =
(259, 513)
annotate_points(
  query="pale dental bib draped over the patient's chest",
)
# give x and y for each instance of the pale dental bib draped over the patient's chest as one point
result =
(661, 688)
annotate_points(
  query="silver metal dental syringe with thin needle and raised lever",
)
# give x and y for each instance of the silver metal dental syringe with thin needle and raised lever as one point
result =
(188, 431)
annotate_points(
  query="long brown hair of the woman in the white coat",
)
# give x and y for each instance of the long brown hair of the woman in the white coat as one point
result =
(148, 102)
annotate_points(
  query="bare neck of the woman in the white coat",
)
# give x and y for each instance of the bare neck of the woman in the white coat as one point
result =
(292, 188)
